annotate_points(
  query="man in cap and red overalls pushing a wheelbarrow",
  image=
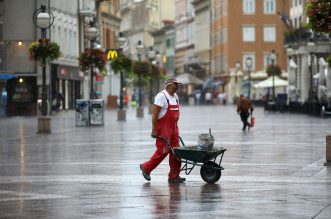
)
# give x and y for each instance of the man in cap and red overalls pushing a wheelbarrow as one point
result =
(164, 123)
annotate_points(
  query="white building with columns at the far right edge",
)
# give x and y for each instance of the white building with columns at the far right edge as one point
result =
(307, 51)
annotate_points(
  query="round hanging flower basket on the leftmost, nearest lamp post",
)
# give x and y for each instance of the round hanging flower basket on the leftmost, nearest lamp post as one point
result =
(44, 51)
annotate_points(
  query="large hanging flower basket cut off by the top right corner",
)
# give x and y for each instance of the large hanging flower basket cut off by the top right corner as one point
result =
(319, 14)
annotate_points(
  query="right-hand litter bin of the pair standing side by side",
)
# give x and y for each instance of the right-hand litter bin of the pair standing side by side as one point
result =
(97, 112)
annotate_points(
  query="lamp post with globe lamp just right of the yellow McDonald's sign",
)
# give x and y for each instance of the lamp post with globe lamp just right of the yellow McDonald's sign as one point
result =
(122, 43)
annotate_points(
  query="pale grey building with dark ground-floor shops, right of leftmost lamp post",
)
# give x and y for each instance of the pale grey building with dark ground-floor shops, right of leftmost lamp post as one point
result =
(66, 77)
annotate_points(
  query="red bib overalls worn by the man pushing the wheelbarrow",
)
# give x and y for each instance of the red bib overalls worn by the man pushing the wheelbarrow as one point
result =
(167, 127)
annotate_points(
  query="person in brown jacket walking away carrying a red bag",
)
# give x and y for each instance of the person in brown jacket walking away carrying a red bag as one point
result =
(244, 109)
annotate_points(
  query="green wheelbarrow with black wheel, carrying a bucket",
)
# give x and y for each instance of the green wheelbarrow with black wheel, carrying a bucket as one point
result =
(191, 156)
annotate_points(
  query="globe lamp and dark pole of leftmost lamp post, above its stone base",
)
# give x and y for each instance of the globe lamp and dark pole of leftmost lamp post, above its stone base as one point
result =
(43, 19)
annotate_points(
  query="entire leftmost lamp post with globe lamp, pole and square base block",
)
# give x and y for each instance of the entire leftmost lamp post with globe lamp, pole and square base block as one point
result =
(43, 19)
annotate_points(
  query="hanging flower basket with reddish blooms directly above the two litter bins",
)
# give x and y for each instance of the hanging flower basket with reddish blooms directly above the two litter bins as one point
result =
(93, 57)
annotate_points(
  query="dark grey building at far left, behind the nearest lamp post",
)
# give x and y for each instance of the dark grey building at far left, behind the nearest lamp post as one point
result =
(17, 33)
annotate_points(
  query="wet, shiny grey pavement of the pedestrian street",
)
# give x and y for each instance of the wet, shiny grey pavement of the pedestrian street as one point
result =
(273, 171)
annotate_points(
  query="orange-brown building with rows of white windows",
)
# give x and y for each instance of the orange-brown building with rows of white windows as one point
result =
(247, 28)
